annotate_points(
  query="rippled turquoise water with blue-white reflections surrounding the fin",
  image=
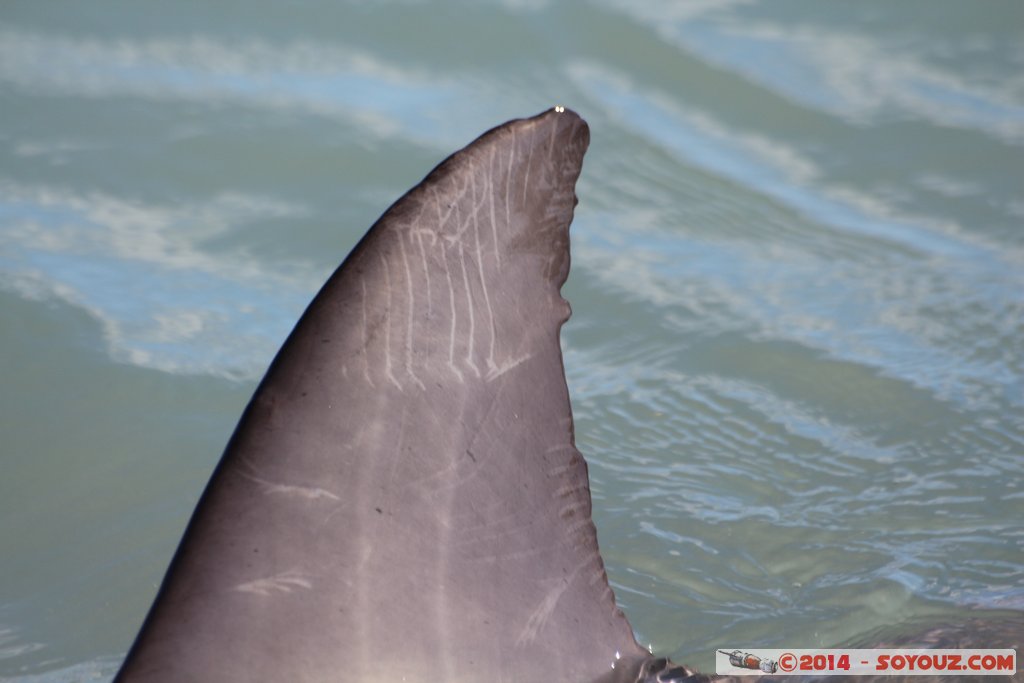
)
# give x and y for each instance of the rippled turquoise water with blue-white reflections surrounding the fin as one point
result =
(797, 354)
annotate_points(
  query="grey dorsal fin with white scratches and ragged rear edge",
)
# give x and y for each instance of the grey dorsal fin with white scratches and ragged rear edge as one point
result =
(403, 499)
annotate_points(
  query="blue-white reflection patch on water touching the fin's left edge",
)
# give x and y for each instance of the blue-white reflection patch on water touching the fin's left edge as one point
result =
(90, 250)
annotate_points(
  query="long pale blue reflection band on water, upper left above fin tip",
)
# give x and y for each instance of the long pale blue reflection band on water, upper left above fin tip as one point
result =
(313, 79)
